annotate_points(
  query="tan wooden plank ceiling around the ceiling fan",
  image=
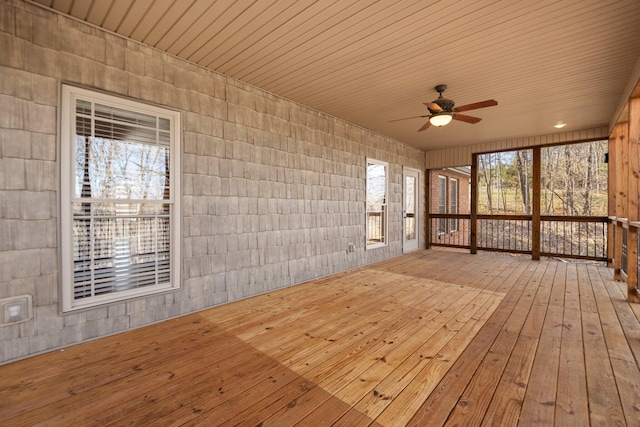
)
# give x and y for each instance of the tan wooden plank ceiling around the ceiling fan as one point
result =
(369, 61)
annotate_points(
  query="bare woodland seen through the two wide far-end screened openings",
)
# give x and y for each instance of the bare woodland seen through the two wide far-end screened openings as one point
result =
(573, 184)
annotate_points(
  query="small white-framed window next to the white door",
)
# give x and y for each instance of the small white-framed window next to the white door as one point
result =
(376, 209)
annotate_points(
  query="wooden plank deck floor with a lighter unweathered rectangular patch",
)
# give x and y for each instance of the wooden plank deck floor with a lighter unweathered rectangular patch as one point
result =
(430, 338)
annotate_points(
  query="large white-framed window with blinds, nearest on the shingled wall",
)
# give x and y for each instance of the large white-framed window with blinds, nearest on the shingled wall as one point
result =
(120, 225)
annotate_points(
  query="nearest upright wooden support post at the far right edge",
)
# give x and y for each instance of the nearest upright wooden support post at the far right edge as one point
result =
(633, 208)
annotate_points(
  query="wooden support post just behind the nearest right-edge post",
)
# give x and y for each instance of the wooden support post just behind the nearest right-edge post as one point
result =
(622, 170)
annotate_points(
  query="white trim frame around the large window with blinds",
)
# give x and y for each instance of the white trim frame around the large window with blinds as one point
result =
(67, 196)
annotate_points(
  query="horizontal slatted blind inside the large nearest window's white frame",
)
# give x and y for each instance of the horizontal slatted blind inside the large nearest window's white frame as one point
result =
(122, 207)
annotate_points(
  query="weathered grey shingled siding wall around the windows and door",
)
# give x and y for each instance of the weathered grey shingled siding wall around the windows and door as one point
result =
(272, 191)
